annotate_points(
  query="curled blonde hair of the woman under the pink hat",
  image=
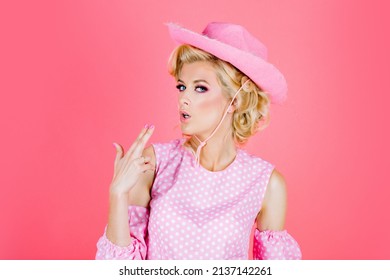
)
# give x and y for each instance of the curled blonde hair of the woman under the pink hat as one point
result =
(252, 104)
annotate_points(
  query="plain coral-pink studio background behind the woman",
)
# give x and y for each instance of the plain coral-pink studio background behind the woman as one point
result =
(77, 75)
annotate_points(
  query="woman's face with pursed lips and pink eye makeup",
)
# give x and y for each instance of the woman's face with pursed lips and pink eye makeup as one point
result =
(201, 99)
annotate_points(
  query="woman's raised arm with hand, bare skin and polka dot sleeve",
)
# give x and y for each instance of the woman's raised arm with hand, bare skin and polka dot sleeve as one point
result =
(125, 234)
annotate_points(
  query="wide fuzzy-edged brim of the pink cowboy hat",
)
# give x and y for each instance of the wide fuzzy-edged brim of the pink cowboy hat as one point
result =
(264, 74)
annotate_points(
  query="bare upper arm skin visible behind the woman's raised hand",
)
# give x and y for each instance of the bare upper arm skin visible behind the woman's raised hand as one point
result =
(140, 193)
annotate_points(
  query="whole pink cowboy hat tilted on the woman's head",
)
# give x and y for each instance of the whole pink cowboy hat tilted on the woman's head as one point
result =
(234, 44)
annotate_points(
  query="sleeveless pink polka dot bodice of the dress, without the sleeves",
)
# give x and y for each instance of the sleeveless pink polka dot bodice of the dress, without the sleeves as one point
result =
(199, 214)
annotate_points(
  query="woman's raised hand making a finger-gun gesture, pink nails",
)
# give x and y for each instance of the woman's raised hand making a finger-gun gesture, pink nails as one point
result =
(129, 167)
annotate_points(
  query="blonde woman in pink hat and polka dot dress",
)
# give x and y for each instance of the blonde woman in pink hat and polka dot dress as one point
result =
(198, 197)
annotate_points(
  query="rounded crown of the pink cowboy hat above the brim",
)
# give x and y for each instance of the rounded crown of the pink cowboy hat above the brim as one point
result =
(235, 36)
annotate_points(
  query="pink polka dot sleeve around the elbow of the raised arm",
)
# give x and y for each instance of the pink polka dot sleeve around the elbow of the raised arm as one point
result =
(136, 250)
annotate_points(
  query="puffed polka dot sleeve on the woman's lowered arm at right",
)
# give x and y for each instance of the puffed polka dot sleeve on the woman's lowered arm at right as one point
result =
(275, 245)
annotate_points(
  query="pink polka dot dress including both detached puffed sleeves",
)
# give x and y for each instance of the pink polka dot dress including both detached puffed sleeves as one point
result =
(198, 214)
